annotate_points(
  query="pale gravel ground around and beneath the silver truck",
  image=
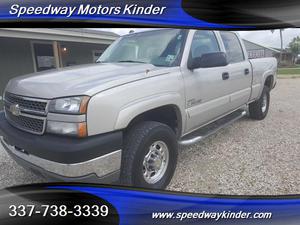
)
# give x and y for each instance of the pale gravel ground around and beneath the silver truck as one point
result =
(248, 157)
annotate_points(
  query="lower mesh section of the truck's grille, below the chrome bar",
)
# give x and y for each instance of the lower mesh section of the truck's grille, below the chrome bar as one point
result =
(30, 124)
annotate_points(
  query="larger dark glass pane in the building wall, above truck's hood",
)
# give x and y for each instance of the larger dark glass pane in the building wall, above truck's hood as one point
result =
(43, 54)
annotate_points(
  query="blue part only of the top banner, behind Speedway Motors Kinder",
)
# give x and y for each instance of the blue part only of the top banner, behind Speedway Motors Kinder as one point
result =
(167, 12)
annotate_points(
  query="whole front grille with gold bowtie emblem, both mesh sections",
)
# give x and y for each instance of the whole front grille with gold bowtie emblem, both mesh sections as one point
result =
(32, 115)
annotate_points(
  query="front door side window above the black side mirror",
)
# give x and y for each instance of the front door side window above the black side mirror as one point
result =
(204, 42)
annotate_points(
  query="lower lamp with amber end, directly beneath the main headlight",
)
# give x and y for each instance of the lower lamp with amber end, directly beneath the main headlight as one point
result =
(69, 129)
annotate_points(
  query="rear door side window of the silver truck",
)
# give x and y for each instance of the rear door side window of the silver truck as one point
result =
(232, 46)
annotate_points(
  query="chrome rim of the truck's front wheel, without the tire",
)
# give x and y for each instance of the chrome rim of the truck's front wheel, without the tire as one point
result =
(155, 162)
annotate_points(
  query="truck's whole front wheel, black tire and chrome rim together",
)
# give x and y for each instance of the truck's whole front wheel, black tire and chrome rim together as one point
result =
(149, 155)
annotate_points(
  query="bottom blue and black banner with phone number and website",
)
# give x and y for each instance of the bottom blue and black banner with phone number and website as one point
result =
(98, 204)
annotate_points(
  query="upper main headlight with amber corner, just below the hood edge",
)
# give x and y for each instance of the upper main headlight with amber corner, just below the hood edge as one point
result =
(70, 105)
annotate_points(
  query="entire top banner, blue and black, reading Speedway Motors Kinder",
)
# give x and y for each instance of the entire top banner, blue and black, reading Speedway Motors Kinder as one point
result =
(182, 13)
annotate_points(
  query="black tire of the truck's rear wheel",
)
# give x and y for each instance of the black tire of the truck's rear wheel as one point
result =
(256, 108)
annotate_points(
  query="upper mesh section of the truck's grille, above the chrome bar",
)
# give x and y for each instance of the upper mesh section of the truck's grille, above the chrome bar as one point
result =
(26, 103)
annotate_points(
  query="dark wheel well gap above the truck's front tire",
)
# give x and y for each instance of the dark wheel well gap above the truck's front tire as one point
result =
(169, 115)
